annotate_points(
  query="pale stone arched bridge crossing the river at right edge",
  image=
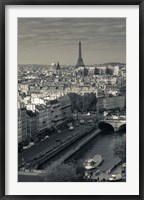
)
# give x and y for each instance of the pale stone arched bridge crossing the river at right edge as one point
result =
(115, 124)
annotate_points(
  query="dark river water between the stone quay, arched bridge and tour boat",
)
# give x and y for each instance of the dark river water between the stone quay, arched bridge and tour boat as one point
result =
(101, 144)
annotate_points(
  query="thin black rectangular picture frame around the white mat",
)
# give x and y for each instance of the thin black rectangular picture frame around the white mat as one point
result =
(3, 3)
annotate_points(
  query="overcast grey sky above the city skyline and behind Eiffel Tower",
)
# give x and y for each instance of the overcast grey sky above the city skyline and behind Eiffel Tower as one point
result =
(45, 40)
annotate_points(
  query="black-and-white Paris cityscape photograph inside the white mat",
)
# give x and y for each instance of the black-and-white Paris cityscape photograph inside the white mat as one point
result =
(71, 99)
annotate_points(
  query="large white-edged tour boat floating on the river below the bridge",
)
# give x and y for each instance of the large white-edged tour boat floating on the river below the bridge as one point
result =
(93, 162)
